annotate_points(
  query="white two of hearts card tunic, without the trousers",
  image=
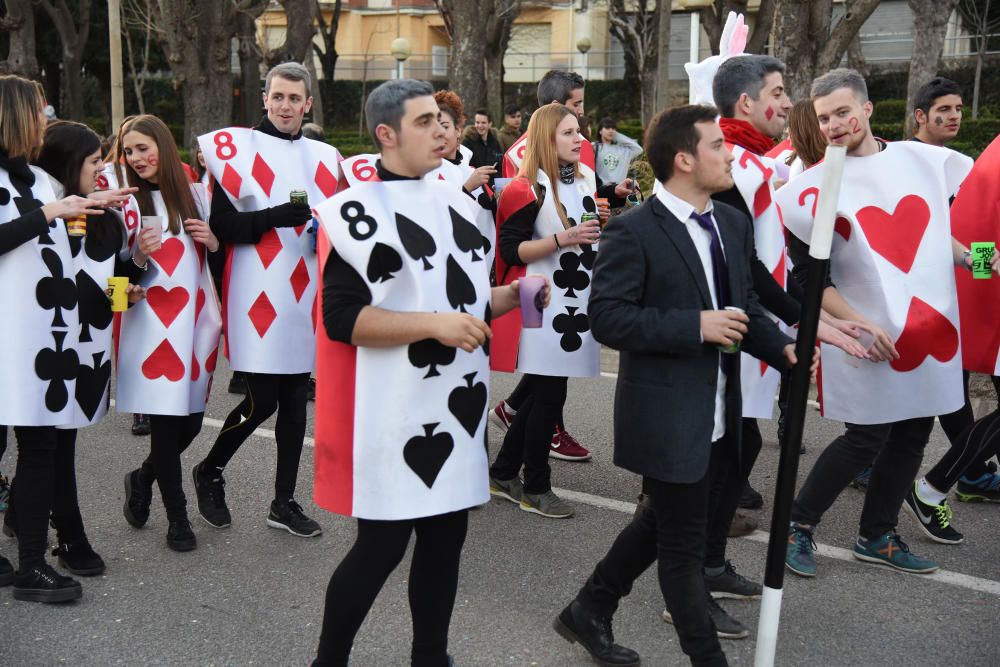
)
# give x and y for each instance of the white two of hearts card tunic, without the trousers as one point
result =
(892, 262)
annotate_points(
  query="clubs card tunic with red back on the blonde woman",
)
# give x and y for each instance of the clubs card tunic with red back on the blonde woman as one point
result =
(564, 345)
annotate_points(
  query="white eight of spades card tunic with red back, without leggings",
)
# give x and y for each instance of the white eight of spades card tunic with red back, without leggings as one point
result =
(398, 242)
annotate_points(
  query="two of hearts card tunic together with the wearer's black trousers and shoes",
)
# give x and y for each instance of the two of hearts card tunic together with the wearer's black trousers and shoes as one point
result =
(892, 262)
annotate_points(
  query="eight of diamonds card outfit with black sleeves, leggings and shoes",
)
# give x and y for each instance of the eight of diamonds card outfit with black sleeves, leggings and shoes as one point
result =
(268, 295)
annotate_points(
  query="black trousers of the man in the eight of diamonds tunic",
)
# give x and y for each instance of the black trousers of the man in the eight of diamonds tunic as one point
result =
(267, 393)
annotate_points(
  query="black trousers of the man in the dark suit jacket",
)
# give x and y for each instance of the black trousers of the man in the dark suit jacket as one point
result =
(669, 529)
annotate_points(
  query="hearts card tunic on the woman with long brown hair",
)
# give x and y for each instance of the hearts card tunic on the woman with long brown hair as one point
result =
(168, 344)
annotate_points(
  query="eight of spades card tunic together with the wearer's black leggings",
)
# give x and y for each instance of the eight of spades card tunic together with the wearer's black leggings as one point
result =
(400, 430)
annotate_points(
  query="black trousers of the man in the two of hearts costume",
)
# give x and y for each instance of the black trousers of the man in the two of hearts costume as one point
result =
(897, 450)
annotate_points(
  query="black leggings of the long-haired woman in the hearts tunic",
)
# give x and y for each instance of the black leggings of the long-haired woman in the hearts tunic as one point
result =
(169, 436)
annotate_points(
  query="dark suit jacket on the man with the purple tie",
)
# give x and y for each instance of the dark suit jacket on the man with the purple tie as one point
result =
(648, 291)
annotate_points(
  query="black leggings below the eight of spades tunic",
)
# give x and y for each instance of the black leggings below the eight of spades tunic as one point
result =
(433, 583)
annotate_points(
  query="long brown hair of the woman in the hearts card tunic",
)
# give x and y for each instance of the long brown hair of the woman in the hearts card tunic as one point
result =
(172, 181)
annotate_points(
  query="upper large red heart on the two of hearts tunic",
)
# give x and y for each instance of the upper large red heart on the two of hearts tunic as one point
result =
(897, 235)
